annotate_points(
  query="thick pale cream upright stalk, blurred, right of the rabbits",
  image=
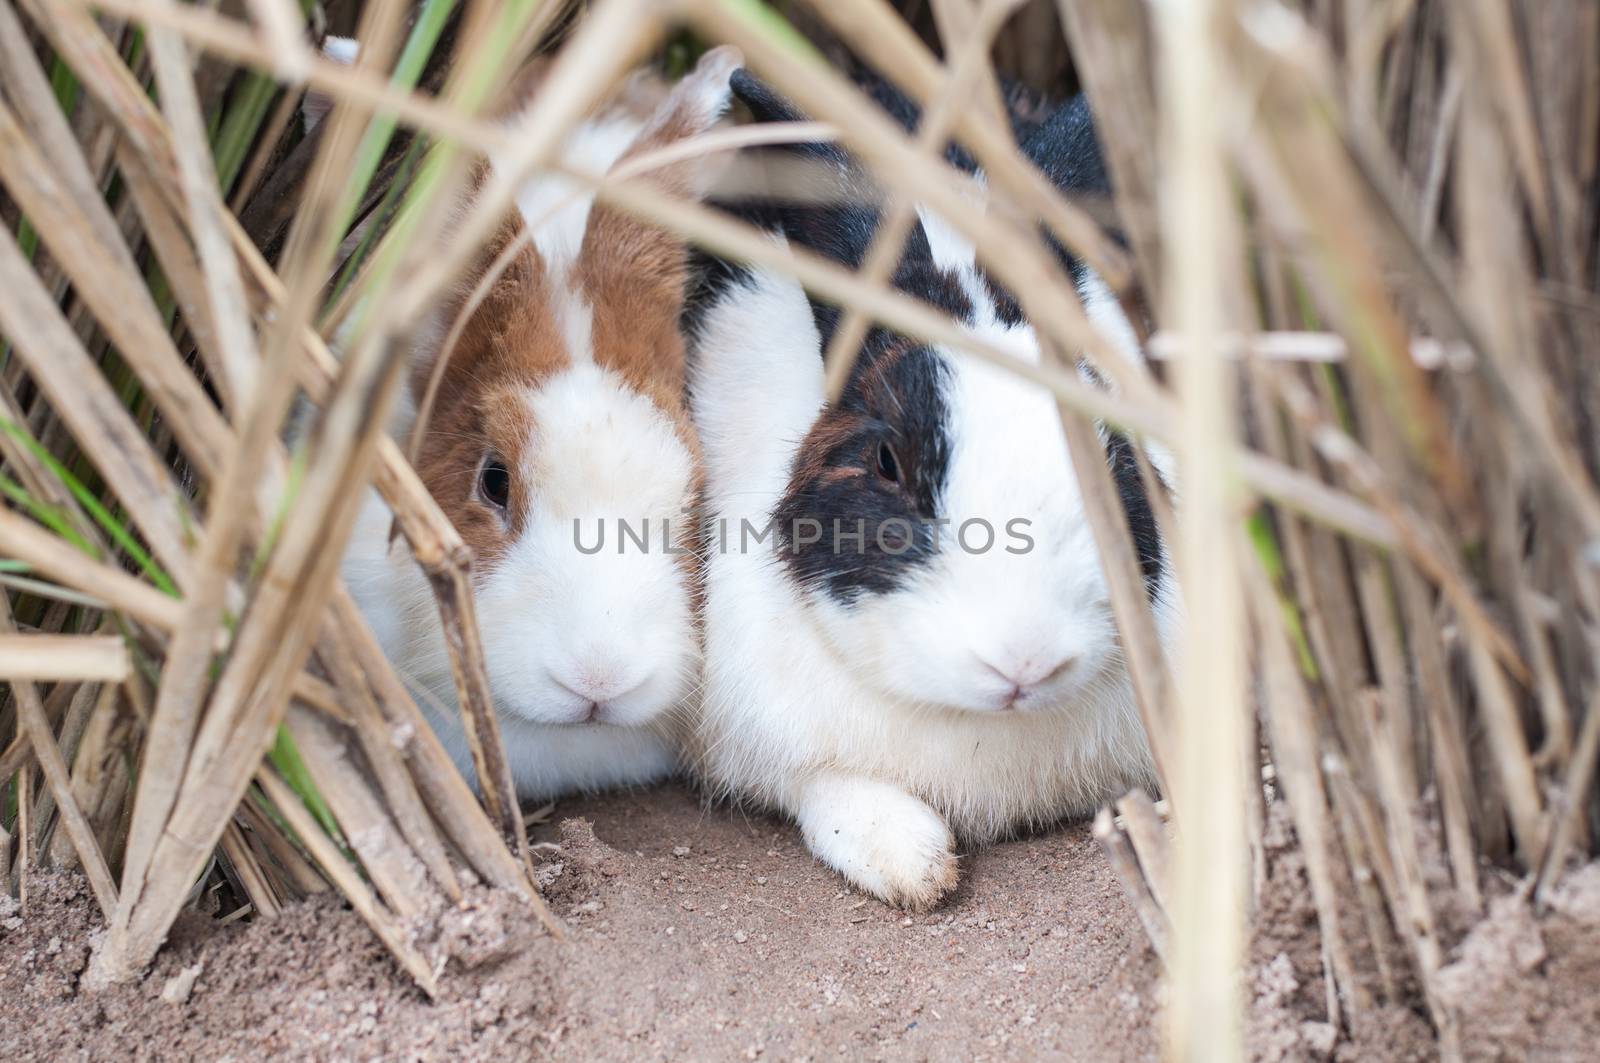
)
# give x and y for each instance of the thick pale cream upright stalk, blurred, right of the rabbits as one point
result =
(1204, 1014)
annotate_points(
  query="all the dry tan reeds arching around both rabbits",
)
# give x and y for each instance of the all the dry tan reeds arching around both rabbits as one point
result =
(1364, 230)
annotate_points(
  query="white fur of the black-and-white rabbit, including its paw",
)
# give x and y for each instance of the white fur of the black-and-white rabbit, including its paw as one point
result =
(882, 728)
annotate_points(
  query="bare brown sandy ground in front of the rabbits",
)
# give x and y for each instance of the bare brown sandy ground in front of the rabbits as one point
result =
(713, 936)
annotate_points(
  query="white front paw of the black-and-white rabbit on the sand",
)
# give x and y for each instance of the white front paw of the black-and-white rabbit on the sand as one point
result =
(881, 838)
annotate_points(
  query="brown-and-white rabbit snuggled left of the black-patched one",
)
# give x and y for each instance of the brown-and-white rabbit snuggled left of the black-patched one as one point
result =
(561, 412)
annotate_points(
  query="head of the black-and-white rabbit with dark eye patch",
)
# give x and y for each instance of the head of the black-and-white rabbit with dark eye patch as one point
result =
(930, 523)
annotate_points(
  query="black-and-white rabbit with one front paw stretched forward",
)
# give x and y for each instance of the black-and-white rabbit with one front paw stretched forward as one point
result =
(908, 633)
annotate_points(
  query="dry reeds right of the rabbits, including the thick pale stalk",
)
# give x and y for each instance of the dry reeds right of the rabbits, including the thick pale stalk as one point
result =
(1382, 220)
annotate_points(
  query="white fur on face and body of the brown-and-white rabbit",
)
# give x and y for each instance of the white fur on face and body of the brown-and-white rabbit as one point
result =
(561, 630)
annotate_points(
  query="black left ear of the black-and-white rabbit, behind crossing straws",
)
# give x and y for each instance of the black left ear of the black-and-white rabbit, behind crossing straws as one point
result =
(822, 201)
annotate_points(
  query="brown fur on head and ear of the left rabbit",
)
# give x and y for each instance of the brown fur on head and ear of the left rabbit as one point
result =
(631, 276)
